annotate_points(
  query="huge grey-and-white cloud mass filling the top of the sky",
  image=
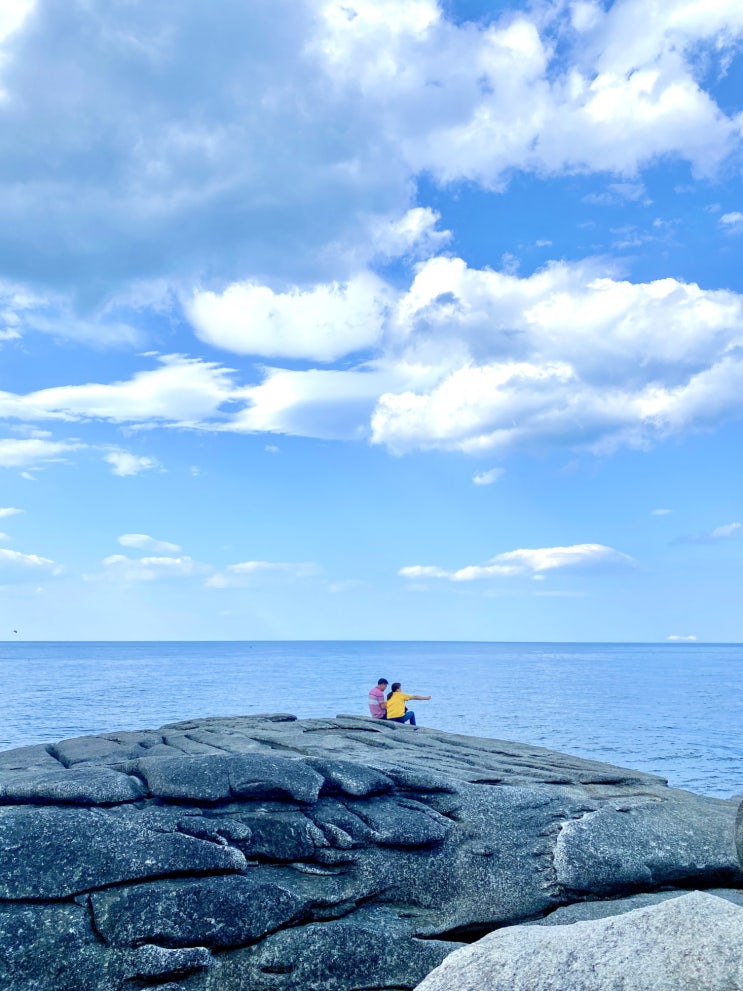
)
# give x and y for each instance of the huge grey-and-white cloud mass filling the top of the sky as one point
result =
(321, 116)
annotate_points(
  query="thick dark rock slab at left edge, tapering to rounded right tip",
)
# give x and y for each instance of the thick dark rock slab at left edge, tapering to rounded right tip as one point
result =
(55, 853)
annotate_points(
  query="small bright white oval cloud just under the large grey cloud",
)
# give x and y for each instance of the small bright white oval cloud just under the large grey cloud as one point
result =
(321, 323)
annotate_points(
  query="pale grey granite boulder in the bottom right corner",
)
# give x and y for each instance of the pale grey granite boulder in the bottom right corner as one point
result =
(687, 943)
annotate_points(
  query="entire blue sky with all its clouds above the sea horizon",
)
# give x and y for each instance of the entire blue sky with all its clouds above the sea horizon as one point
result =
(373, 319)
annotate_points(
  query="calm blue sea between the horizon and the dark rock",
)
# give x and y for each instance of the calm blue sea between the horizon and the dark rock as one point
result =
(672, 709)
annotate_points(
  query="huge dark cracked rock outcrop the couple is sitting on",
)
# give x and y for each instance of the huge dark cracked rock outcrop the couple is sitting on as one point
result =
(268, 853)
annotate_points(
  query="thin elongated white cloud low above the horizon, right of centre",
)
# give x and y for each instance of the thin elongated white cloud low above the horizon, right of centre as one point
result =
(532, 562)
